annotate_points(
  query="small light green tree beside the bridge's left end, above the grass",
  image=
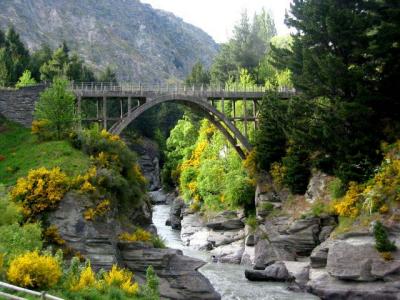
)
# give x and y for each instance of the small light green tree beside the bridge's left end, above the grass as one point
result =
(56, 105)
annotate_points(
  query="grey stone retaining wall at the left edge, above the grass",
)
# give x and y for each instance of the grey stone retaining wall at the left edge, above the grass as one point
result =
(18, 105)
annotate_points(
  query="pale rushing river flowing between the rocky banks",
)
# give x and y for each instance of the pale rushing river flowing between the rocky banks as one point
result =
(227, 279)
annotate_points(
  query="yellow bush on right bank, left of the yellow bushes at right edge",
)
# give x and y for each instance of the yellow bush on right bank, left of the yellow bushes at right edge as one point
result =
(348, 205)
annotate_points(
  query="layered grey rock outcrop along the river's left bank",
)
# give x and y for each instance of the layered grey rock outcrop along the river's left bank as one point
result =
(98, 241)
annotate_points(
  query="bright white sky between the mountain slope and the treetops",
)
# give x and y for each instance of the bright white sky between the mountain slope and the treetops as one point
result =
(218, 17)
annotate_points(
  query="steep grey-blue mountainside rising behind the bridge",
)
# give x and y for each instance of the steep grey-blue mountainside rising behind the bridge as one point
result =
(141, 43)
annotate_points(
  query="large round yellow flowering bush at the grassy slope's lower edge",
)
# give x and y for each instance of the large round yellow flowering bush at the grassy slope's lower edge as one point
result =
(41, 190)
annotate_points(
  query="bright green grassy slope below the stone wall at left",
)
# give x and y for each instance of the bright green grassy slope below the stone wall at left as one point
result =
(20, 152)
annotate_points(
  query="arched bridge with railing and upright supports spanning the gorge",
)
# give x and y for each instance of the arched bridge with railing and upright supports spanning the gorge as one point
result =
(209, 101)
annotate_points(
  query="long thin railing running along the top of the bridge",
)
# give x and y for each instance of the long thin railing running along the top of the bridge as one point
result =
(128, 87)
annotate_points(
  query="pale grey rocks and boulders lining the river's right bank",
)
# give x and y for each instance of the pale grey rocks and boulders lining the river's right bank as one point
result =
(299, 250)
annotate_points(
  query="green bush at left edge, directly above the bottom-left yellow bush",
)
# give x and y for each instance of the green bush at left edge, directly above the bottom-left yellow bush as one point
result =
(16, 239)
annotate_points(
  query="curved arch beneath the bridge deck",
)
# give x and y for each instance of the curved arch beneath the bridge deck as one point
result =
(198, 104)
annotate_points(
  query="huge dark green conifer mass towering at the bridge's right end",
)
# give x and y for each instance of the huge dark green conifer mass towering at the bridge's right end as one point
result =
(343, 112)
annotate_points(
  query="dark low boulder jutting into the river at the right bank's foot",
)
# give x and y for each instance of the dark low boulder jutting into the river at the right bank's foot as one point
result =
(274, 272)
